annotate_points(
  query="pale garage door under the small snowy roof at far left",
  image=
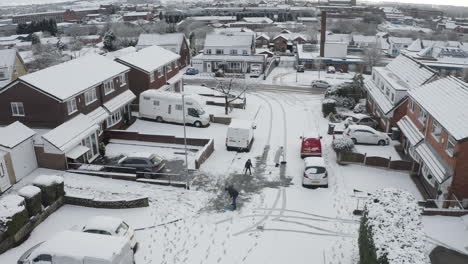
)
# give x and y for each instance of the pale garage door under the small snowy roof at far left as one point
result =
(24, 159)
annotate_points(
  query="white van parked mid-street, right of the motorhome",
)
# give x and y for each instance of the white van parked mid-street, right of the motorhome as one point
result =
(240, 135)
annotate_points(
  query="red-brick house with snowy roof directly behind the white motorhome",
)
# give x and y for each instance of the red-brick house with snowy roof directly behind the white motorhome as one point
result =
(152, 68)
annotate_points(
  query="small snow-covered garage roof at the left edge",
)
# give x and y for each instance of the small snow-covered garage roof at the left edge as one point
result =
(14, 134)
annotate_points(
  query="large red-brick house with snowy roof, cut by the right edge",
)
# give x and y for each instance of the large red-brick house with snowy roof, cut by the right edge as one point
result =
(435, 134)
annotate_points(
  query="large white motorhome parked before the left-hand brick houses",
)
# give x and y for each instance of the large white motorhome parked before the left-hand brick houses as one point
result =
(167, 106)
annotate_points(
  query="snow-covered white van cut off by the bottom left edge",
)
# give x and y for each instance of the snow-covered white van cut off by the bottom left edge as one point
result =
(69, 247)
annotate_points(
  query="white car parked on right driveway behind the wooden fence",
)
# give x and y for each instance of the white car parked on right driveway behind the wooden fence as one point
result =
(366, 135)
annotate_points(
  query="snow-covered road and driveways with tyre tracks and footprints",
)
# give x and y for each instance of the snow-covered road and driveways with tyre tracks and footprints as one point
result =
(278, 220)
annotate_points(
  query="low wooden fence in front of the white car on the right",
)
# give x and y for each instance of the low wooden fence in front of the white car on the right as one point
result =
(349, 157)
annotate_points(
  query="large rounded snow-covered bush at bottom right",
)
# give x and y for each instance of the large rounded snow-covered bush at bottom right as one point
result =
(391, 230)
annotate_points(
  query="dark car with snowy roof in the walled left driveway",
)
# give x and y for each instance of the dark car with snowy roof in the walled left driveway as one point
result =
(143, 162)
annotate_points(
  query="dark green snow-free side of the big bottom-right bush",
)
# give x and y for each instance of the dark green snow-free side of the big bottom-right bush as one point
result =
(367, 250)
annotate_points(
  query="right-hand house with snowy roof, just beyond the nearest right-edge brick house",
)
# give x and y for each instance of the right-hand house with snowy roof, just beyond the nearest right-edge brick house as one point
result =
(387, 89)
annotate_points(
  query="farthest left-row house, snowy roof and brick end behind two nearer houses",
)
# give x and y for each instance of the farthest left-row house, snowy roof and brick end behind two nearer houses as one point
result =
(175, 42)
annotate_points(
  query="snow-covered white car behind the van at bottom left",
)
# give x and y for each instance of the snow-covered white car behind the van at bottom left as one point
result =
(111, 226)
